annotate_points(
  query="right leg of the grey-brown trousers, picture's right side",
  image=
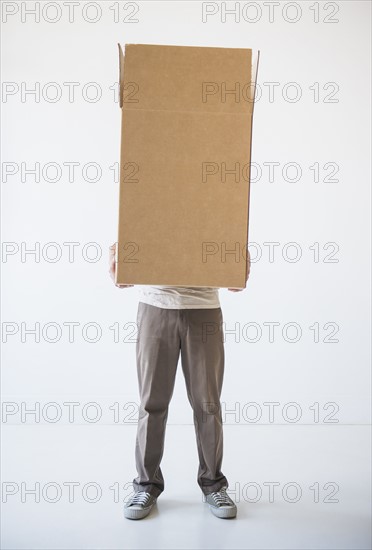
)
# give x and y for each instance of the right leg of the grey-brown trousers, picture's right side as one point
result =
(202, 354)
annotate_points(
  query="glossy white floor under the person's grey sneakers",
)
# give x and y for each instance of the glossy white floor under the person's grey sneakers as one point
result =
(333, 460)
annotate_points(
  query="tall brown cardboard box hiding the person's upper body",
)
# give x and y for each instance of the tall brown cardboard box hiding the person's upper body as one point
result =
(185, 165)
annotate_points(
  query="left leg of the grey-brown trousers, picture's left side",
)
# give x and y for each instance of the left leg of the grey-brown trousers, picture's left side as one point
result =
(157, 352)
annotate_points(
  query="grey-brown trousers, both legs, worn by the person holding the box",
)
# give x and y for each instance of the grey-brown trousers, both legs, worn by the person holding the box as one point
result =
(162, 335)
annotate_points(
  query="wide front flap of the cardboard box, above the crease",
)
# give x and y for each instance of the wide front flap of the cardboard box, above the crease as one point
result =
(189, 78)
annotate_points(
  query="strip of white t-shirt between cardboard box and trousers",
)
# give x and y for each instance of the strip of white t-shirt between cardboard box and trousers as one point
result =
(178, 297)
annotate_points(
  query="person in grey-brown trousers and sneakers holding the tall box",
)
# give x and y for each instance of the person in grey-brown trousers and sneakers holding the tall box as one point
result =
(174, 320)
